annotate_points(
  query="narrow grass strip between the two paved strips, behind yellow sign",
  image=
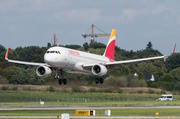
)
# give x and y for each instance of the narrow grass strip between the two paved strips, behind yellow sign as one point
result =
(99, 112)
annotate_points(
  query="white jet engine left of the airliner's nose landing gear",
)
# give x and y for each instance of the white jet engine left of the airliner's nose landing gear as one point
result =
(43, 71)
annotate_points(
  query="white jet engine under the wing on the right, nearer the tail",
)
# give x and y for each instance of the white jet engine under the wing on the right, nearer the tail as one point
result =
(99, 70)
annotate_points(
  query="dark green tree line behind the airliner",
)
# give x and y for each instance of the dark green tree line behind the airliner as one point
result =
(166, 72)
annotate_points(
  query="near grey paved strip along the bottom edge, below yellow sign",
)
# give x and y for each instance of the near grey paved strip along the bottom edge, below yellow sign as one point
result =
(89, 117)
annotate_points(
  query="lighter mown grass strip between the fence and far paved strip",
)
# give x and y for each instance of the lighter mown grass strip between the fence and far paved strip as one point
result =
(111, 103)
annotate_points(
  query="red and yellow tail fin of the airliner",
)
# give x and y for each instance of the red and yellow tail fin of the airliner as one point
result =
(109, 52)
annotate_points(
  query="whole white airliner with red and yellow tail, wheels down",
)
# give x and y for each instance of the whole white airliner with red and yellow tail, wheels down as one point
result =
(74, 61)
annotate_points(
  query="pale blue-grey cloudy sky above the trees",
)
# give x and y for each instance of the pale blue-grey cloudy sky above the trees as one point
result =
(33, 22)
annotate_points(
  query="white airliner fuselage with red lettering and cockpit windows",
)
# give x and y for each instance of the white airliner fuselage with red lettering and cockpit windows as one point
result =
(72, 60)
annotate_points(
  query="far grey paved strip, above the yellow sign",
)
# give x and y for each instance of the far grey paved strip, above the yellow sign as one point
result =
(55, 107)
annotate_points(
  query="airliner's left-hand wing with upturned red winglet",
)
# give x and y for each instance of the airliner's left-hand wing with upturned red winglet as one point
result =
(22, 62)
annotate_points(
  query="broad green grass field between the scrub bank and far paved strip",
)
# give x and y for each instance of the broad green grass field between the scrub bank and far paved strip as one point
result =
(100, 99)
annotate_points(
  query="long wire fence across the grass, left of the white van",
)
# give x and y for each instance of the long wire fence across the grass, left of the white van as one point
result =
(78, 98)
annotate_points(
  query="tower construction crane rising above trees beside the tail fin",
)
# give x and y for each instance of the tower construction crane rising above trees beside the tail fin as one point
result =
(92, 35)
